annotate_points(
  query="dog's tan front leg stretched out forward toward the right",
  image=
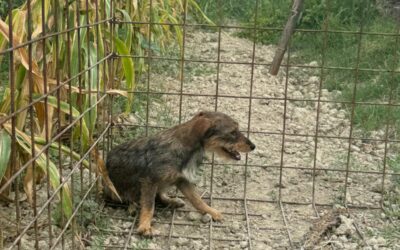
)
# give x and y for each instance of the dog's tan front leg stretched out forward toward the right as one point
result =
(189, 191)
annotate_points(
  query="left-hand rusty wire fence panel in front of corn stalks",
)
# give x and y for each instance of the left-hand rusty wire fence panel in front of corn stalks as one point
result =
(48, 117)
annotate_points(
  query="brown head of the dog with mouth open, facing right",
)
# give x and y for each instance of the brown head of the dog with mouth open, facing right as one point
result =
(220, 134)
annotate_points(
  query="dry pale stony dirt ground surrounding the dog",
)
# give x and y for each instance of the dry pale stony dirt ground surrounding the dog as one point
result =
(246, 192)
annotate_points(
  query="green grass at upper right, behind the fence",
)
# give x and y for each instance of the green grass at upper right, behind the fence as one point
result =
(339, 50)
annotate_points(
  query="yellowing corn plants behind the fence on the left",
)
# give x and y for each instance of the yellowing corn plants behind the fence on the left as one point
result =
(85, 47)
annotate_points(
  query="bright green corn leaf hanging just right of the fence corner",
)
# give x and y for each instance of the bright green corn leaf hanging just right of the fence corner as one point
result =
(129, 71)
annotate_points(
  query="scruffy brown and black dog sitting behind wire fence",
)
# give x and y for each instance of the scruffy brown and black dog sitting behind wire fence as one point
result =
(142, 170)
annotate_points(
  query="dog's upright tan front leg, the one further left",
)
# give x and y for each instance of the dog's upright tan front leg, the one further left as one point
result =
(148, 193)
